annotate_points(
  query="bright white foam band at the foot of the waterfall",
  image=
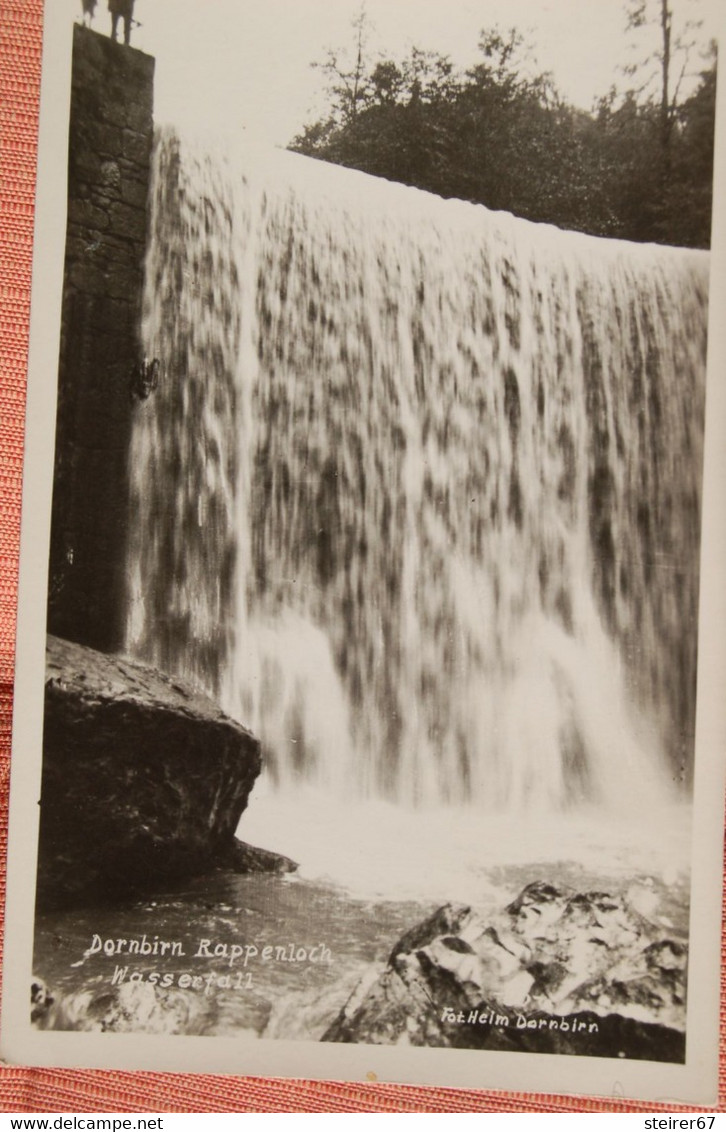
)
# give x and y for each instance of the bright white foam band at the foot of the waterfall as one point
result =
(380, 850)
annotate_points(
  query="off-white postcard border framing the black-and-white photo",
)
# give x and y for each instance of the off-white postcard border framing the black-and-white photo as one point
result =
(696, 1083)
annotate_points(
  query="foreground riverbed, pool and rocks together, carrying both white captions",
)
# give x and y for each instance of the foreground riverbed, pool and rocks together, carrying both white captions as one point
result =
(557, 971)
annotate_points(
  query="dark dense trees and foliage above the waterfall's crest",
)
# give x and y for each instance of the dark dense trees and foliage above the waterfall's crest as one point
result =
(639, 167)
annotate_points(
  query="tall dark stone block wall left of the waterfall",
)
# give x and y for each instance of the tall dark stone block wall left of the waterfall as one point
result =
(110, 145)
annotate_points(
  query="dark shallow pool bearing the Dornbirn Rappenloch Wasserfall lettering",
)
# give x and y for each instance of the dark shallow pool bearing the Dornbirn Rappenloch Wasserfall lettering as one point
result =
(266, 954)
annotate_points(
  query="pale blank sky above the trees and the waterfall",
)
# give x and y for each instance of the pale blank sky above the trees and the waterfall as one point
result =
(246, 64)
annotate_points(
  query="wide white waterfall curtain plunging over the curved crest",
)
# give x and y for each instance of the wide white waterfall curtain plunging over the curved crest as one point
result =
(418, 494)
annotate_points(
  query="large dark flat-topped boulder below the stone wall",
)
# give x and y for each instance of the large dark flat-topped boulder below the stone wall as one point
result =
(144, 778)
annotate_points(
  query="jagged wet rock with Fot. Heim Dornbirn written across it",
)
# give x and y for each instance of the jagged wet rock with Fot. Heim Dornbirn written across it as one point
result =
(557, 972)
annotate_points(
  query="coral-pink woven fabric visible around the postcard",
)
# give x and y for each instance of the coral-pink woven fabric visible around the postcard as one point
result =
(86, 1091)
